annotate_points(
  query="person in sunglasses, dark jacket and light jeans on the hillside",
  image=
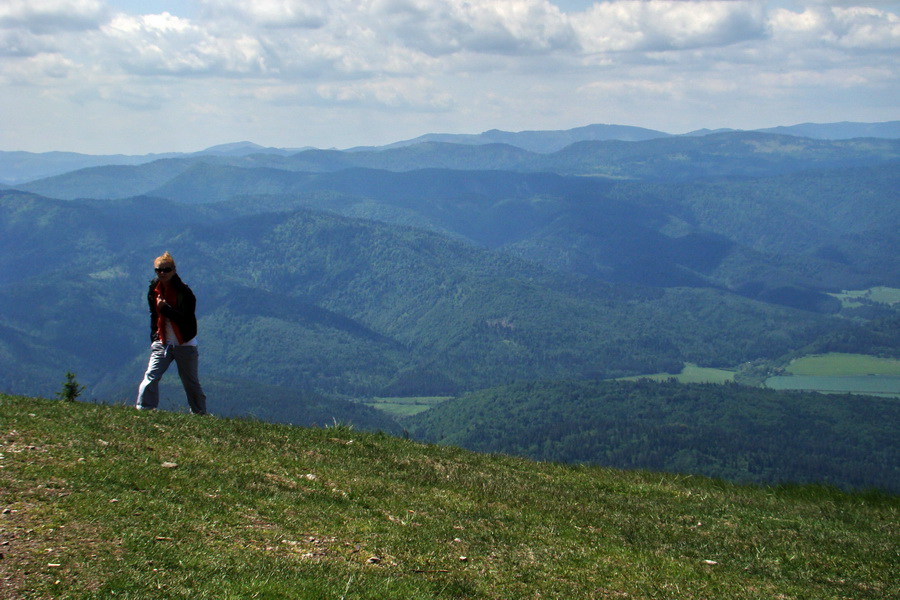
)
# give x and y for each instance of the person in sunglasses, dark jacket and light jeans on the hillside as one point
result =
(173, 337)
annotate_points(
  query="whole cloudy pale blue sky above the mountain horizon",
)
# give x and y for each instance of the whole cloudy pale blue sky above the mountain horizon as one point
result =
(151, 76)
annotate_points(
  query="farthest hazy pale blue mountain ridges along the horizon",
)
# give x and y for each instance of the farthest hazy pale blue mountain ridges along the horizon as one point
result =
(721, 155)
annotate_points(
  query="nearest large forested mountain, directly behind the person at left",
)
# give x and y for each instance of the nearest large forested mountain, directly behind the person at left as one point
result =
(309, 299)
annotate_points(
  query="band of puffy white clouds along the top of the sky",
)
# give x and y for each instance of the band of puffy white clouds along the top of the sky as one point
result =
(338, 39)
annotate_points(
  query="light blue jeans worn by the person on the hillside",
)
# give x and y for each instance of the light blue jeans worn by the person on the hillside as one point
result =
(186, 358)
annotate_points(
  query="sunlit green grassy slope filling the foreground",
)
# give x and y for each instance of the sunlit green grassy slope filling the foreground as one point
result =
(92, 507)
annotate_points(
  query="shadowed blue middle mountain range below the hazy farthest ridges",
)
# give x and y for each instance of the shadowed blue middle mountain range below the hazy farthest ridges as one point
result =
(781, 238)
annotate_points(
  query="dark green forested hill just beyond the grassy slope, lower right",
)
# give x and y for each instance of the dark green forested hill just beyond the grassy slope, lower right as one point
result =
(728, 431)
